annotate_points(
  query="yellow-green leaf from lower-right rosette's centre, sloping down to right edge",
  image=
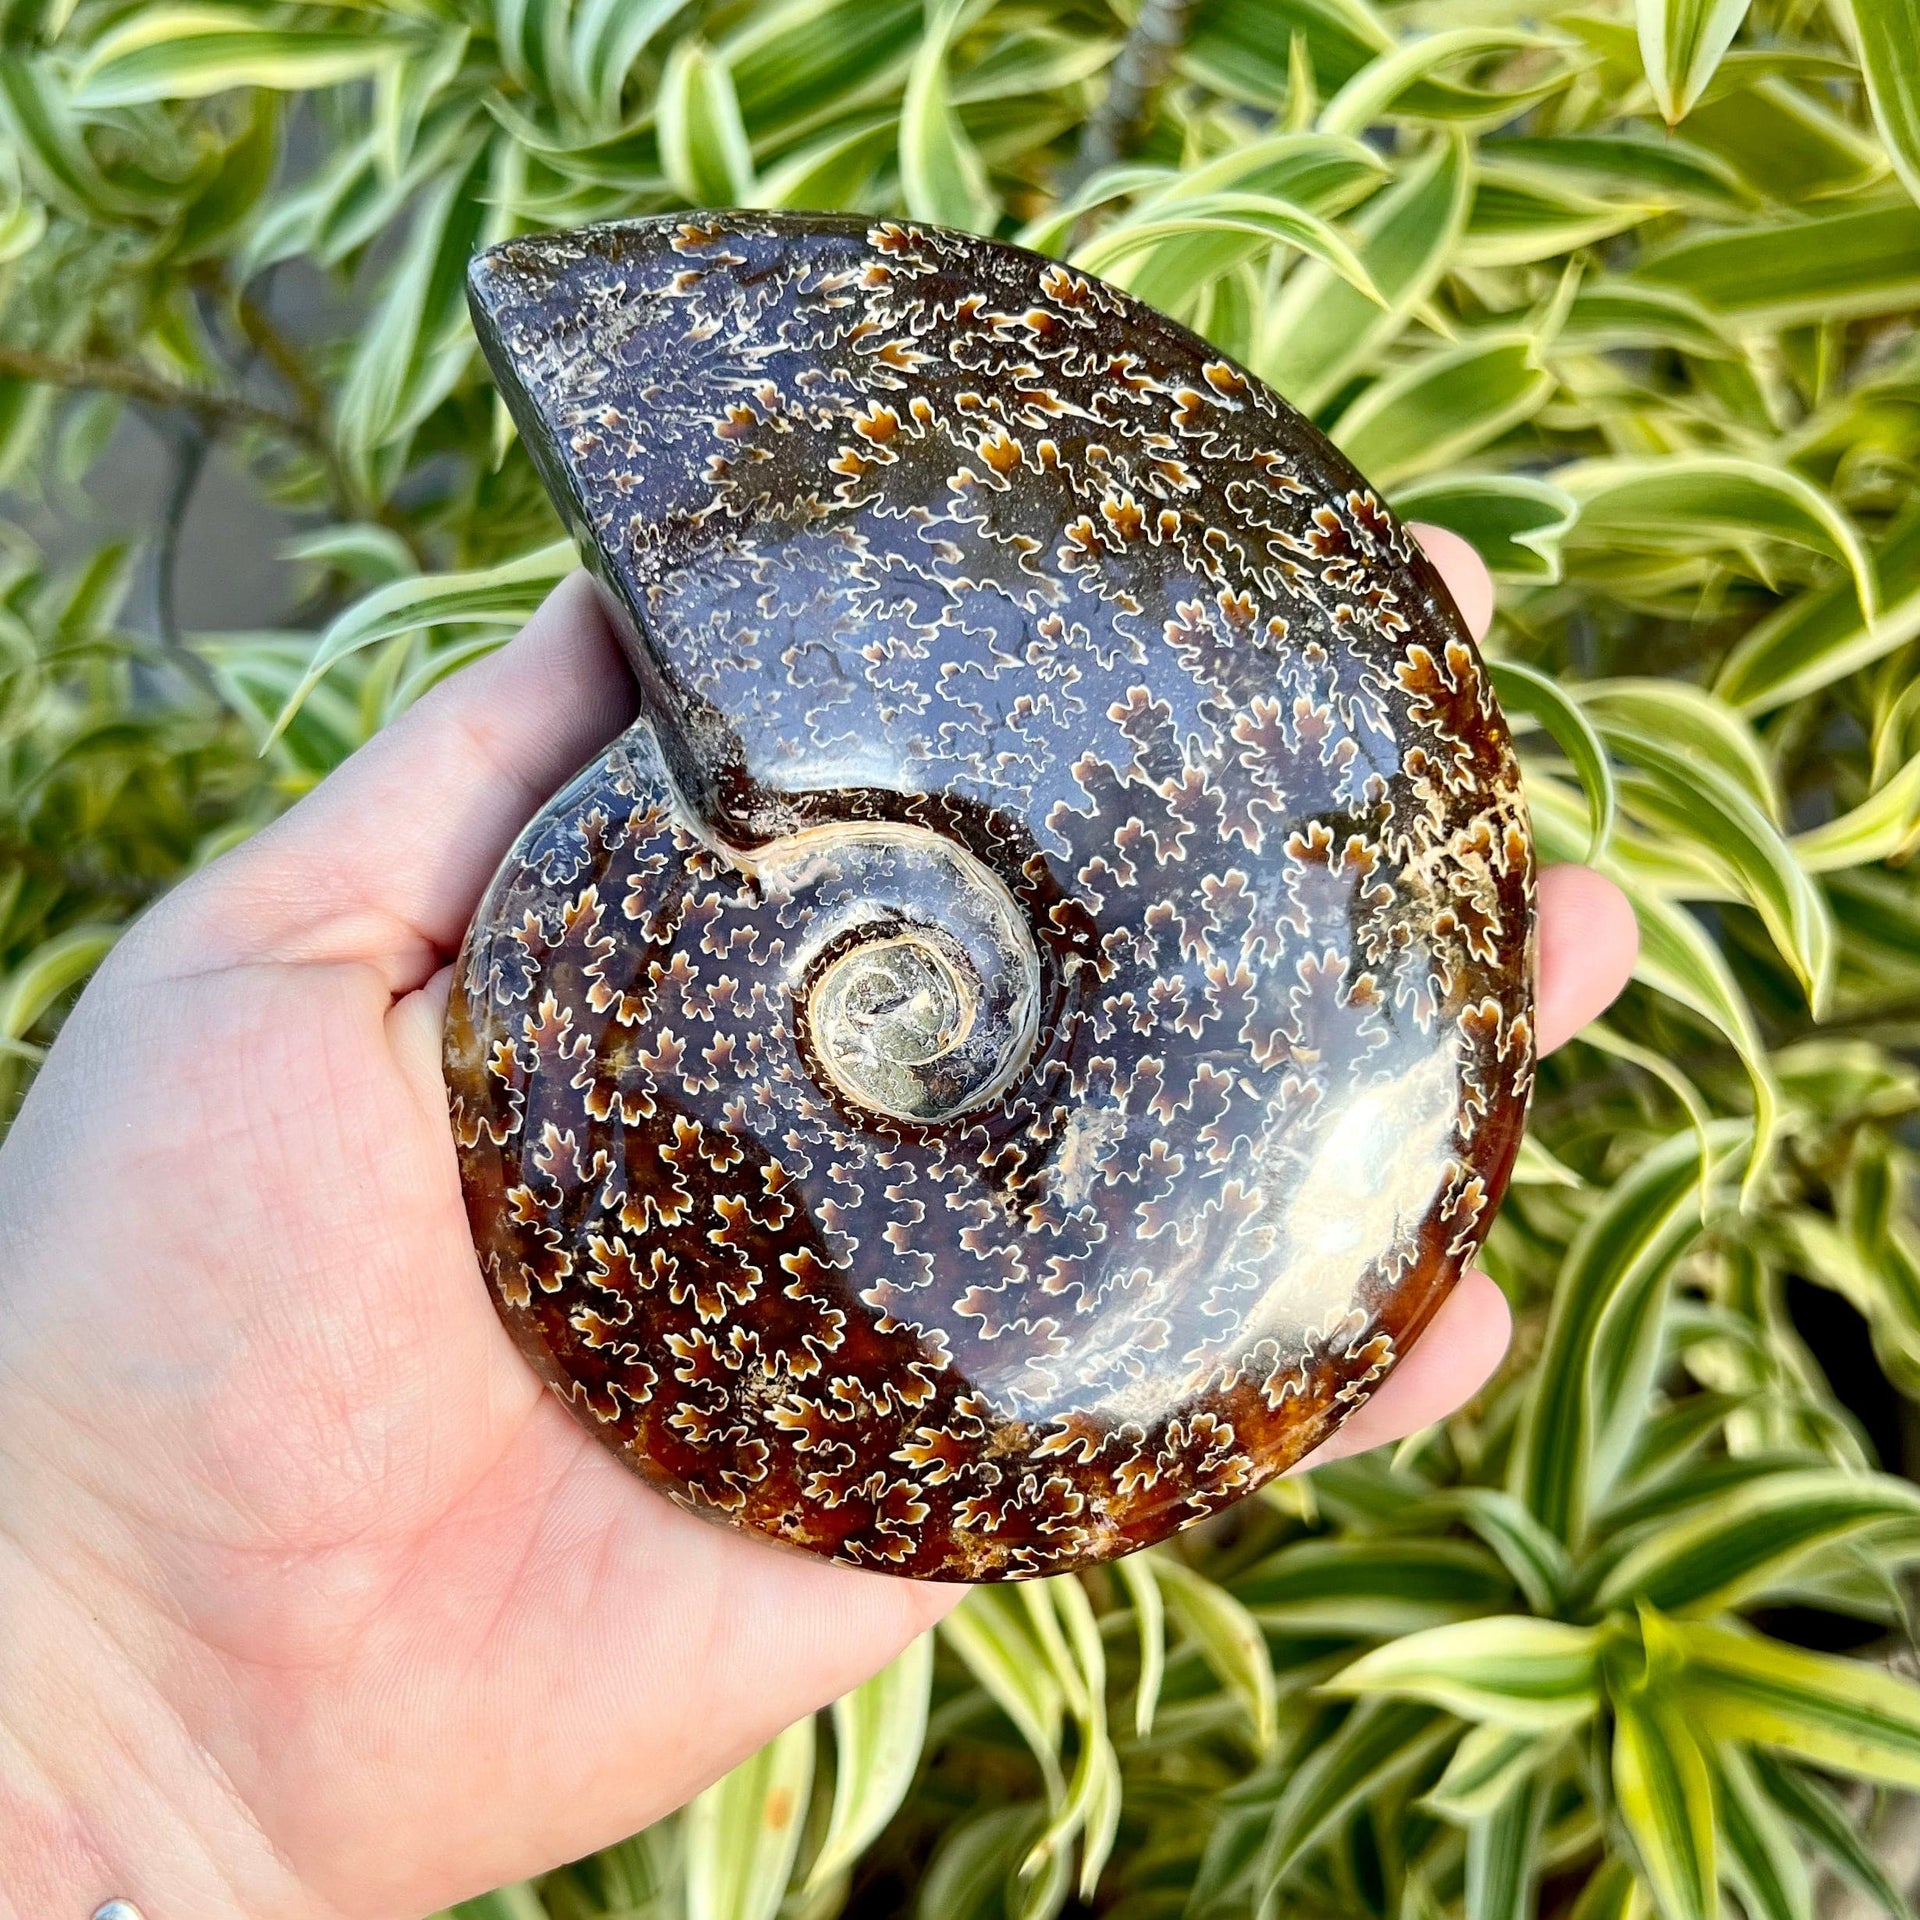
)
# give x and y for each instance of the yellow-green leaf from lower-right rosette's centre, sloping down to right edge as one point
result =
(1842, 1716)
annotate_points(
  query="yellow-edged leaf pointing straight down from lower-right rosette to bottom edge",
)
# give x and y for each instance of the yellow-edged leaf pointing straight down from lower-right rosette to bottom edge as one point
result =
(1664, 1790)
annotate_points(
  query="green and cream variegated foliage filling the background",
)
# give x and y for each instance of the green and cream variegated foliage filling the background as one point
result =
(1627, 299)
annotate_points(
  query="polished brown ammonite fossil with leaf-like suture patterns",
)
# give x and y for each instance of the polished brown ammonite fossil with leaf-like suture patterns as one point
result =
(1036, 1015)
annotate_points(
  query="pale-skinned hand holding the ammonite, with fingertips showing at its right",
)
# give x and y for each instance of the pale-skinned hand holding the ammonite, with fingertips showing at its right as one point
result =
(314, 1604)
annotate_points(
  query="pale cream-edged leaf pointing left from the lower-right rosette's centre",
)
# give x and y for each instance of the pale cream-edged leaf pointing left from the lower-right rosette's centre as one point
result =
(1506, 1671)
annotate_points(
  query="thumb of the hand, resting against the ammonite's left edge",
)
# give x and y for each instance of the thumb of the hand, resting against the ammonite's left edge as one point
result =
(385, 861)
